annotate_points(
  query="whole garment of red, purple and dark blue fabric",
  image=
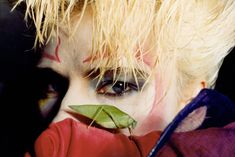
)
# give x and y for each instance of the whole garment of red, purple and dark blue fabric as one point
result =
(73, 138)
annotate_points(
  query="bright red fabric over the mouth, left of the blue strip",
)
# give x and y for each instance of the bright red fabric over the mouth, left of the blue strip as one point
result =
(69, 138)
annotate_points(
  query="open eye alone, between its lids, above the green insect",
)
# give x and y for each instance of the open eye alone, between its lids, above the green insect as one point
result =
(118, 88)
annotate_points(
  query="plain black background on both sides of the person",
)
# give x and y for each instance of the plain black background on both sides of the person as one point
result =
(20, 121)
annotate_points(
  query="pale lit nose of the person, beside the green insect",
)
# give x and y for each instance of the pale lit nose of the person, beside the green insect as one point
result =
(79, 92)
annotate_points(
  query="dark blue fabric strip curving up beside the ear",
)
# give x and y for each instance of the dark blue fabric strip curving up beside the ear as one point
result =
(220, 111)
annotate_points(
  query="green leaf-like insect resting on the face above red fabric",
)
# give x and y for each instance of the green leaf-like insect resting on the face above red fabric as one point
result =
(107, 116)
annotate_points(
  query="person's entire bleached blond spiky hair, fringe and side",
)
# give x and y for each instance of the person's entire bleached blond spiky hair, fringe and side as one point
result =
(189, 37)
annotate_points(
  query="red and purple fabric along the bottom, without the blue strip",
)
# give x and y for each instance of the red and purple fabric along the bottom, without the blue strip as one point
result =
(69, 138)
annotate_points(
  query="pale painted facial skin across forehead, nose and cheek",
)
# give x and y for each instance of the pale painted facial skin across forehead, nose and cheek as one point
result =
(71, 59)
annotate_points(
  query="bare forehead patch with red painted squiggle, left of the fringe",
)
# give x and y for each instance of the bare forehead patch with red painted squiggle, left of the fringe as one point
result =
(64, 54)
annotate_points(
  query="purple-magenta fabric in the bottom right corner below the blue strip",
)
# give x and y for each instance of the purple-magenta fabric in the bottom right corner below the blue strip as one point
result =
(212, 142)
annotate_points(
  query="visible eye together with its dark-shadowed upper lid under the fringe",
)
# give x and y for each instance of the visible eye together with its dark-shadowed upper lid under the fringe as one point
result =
(124, 83)
